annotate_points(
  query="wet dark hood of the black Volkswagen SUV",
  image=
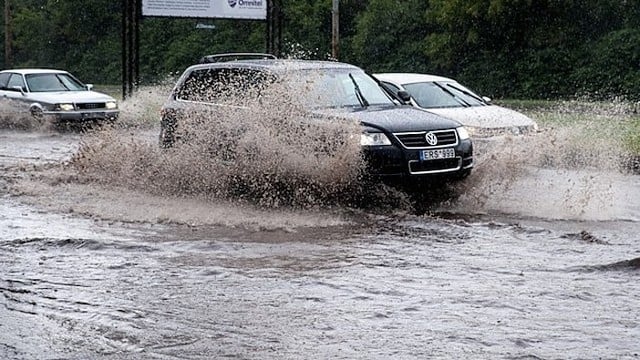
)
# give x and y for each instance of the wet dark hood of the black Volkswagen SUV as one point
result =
(393, 118)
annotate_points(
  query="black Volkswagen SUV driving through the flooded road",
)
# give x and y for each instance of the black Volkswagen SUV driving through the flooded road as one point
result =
(397, 141)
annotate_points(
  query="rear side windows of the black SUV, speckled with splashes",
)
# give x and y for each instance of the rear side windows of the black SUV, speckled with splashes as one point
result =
(224, 85)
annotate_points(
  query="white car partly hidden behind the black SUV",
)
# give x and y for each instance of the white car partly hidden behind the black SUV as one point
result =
(448, 98)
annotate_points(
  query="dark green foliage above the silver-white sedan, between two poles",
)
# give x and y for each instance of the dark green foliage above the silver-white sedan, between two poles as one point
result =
(61, 34)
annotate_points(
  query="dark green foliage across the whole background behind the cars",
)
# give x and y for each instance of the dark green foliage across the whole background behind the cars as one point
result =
(542, 49)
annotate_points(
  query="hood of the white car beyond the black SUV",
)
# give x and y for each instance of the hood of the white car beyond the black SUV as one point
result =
(490, 116)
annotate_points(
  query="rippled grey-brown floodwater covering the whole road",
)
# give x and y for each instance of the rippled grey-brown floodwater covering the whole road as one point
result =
(538, 263)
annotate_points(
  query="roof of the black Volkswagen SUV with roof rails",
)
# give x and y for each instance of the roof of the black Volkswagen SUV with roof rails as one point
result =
(279, 65)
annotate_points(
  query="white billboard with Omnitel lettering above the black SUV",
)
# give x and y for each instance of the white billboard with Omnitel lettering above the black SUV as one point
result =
(227, 9)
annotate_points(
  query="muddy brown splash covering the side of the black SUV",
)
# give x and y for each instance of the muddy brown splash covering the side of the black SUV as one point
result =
(271, 155)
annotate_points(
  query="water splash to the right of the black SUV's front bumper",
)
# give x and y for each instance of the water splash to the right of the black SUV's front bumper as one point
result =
(576, 167)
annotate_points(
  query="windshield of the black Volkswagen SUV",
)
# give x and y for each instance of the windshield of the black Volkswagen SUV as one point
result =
(337, 88)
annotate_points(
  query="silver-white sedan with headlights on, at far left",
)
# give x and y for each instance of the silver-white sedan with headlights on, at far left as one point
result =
(56, 94)
